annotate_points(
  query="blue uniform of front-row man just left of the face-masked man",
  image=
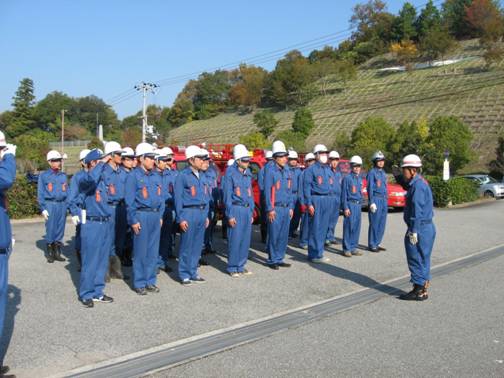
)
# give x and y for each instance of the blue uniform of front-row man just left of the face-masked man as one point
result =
(278, 198)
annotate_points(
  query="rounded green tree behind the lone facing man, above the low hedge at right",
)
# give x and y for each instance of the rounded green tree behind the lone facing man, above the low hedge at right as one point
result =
(447, 134)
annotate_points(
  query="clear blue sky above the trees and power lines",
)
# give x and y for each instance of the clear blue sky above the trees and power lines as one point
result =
(105, 47)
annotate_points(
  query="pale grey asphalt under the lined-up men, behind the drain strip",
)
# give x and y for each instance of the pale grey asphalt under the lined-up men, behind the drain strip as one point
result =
(48, 331)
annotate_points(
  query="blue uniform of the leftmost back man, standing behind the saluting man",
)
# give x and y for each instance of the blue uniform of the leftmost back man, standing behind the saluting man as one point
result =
(52, 195)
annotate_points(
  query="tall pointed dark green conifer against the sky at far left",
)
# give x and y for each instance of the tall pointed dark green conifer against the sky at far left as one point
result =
(22, 115)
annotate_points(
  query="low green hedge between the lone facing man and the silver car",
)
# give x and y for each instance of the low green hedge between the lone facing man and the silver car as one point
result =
(456, 190)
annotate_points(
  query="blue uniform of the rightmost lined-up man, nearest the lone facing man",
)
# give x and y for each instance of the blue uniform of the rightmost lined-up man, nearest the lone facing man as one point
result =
(377, 194)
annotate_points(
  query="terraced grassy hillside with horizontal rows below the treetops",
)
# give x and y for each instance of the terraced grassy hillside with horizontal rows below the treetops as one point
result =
(464, 89)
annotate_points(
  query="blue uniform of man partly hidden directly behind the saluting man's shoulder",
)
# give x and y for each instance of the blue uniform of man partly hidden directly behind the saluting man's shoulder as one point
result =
(115, 181)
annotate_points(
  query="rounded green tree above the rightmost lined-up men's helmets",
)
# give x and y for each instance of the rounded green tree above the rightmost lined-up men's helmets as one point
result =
(371, 135)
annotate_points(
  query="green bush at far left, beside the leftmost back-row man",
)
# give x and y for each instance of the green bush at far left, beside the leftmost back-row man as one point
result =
(22, 199)
